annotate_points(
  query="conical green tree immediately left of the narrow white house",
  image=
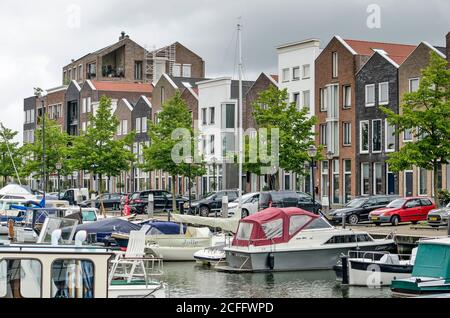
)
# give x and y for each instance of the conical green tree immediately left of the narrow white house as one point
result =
(175, 116)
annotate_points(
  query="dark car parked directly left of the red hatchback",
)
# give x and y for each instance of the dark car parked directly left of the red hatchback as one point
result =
(358, 209)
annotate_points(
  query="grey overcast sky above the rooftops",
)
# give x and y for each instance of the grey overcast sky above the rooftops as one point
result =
(40, 37)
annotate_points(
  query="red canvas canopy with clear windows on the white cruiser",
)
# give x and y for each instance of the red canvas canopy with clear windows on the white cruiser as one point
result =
(272, 226)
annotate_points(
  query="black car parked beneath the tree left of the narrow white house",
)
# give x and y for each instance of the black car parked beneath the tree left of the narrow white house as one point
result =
(162, 201)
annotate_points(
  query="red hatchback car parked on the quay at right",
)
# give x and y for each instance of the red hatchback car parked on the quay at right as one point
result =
(403, 210)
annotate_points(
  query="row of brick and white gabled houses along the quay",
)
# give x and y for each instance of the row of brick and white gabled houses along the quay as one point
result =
(343, 85)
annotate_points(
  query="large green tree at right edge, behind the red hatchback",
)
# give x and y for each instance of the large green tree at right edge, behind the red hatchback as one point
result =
(426, 113)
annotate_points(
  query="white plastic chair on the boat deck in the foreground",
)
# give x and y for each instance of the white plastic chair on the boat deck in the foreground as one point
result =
(134, 257)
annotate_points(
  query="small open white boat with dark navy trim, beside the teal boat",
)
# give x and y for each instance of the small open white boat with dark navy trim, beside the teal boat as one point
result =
(373, 269)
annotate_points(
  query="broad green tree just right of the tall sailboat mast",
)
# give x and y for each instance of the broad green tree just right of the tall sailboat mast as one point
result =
(271, 111)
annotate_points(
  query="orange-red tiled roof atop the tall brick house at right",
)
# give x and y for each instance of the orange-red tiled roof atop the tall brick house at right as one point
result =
(396, 52)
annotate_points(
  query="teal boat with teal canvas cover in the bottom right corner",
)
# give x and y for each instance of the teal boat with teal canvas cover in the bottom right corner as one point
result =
(431, 272)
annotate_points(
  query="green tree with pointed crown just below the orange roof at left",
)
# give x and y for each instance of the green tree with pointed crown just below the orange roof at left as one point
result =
(97, 151)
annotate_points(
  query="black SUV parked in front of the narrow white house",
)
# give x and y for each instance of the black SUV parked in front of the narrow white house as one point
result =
(211, 203)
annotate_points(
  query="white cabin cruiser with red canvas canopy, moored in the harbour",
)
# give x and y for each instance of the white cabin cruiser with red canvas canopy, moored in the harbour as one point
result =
(291, 239)
